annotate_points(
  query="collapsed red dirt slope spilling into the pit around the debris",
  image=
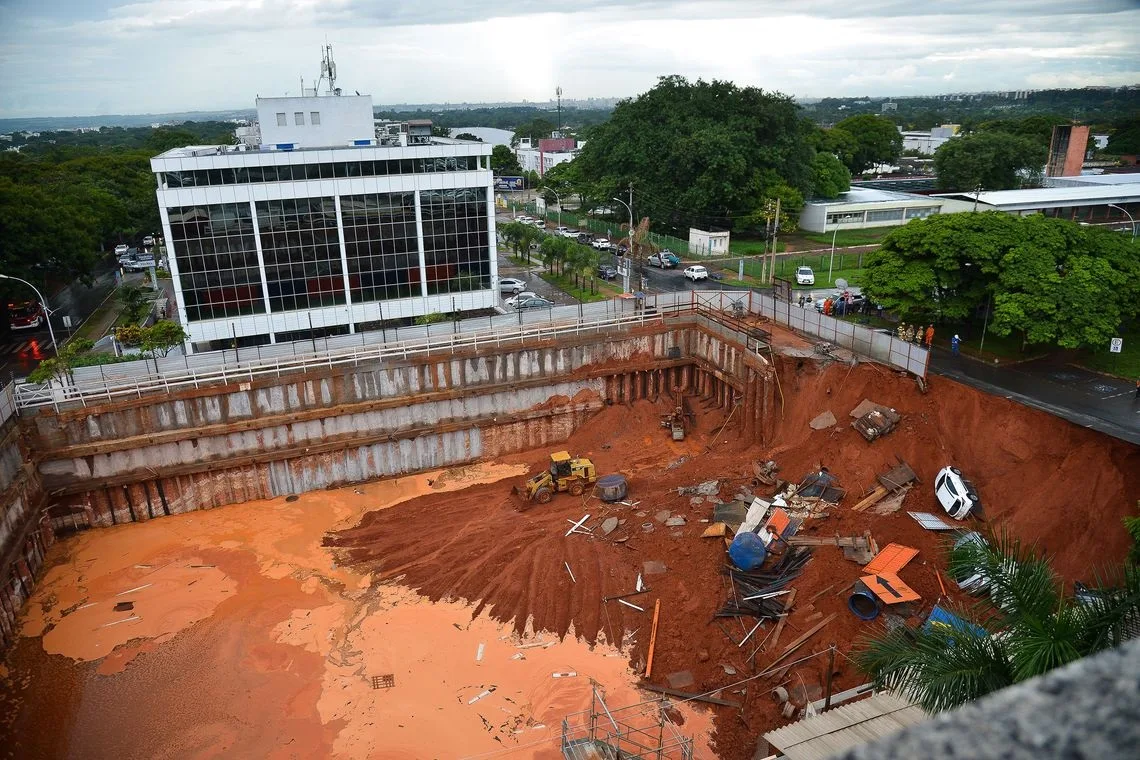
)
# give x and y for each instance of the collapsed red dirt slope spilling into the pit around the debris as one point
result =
(1049, 481)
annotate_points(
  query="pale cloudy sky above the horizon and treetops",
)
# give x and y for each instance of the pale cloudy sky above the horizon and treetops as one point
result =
(83, 58)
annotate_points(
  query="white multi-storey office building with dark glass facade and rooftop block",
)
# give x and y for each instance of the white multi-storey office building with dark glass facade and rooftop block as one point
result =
(322, 230)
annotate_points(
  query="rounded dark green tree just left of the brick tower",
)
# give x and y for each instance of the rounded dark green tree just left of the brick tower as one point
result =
(994, 160)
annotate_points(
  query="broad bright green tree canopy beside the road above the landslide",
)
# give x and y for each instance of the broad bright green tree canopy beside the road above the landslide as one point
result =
(1047, 280)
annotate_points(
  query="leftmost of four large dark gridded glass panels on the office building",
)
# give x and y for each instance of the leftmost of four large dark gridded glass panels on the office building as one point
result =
(217, 260)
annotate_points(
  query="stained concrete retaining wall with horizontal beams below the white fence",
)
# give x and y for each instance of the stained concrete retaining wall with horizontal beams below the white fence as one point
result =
(135, 460)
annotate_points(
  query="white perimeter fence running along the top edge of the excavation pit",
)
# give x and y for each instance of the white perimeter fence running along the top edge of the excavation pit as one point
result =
(137, 379)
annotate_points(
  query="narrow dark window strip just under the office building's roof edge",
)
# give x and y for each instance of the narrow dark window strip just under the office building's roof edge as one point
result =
(296, 173)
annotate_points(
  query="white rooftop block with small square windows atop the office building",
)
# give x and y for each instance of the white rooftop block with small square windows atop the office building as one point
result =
(343, 120)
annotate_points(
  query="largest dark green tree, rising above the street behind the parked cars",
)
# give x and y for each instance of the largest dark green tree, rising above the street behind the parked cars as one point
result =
(699, 154)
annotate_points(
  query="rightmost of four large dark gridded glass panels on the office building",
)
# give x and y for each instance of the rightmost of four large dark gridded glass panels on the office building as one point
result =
(457, 244)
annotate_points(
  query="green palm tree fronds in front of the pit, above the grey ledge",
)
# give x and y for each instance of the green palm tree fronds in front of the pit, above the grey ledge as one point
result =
(1027, 627)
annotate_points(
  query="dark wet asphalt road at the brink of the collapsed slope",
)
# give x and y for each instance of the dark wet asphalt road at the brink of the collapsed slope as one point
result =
(1104, 404)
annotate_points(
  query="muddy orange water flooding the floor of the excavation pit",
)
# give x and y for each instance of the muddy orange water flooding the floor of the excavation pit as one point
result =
(233, 633)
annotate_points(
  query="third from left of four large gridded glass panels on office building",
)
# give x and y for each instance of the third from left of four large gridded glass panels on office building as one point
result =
(382, 247)
